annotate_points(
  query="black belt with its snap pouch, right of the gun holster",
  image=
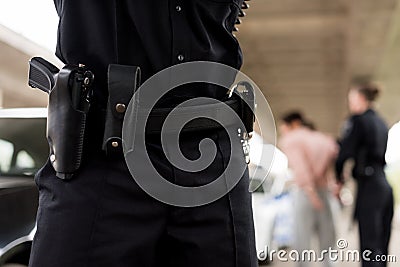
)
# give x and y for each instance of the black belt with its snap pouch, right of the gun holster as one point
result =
(123, 82)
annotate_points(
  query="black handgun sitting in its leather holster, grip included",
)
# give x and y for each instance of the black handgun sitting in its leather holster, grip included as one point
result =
(69, 92)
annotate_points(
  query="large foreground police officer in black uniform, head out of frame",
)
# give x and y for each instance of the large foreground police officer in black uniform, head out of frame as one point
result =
(101, 217)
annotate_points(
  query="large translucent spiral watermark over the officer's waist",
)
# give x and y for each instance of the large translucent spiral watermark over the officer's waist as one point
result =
(138, 114)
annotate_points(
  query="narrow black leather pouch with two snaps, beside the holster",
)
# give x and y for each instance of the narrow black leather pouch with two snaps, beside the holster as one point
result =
(123, 82)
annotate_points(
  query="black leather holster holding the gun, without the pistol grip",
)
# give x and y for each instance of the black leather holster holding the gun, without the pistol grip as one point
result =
(65, 128)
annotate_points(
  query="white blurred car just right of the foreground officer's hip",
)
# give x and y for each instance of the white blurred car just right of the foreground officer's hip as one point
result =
(272, 206)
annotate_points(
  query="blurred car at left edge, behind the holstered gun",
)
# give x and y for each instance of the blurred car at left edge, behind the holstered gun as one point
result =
(23, 150)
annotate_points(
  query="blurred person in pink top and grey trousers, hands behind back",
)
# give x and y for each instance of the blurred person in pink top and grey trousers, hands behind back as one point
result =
(311, 157)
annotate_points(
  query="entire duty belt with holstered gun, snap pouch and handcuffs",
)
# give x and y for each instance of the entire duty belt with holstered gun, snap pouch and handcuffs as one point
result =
(70, 91)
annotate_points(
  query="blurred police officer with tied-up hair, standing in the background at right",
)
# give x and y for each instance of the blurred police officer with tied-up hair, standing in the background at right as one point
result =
(364, 140)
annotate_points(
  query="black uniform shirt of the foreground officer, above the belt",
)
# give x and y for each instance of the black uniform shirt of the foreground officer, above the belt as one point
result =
(151, 34)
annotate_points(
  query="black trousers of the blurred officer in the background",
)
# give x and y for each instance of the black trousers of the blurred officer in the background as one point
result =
(374, 212)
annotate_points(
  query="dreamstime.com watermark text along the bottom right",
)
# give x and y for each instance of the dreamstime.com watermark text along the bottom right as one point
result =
(339, 254)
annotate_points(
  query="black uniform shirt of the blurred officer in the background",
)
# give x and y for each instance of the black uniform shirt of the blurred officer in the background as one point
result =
(364, 140)
